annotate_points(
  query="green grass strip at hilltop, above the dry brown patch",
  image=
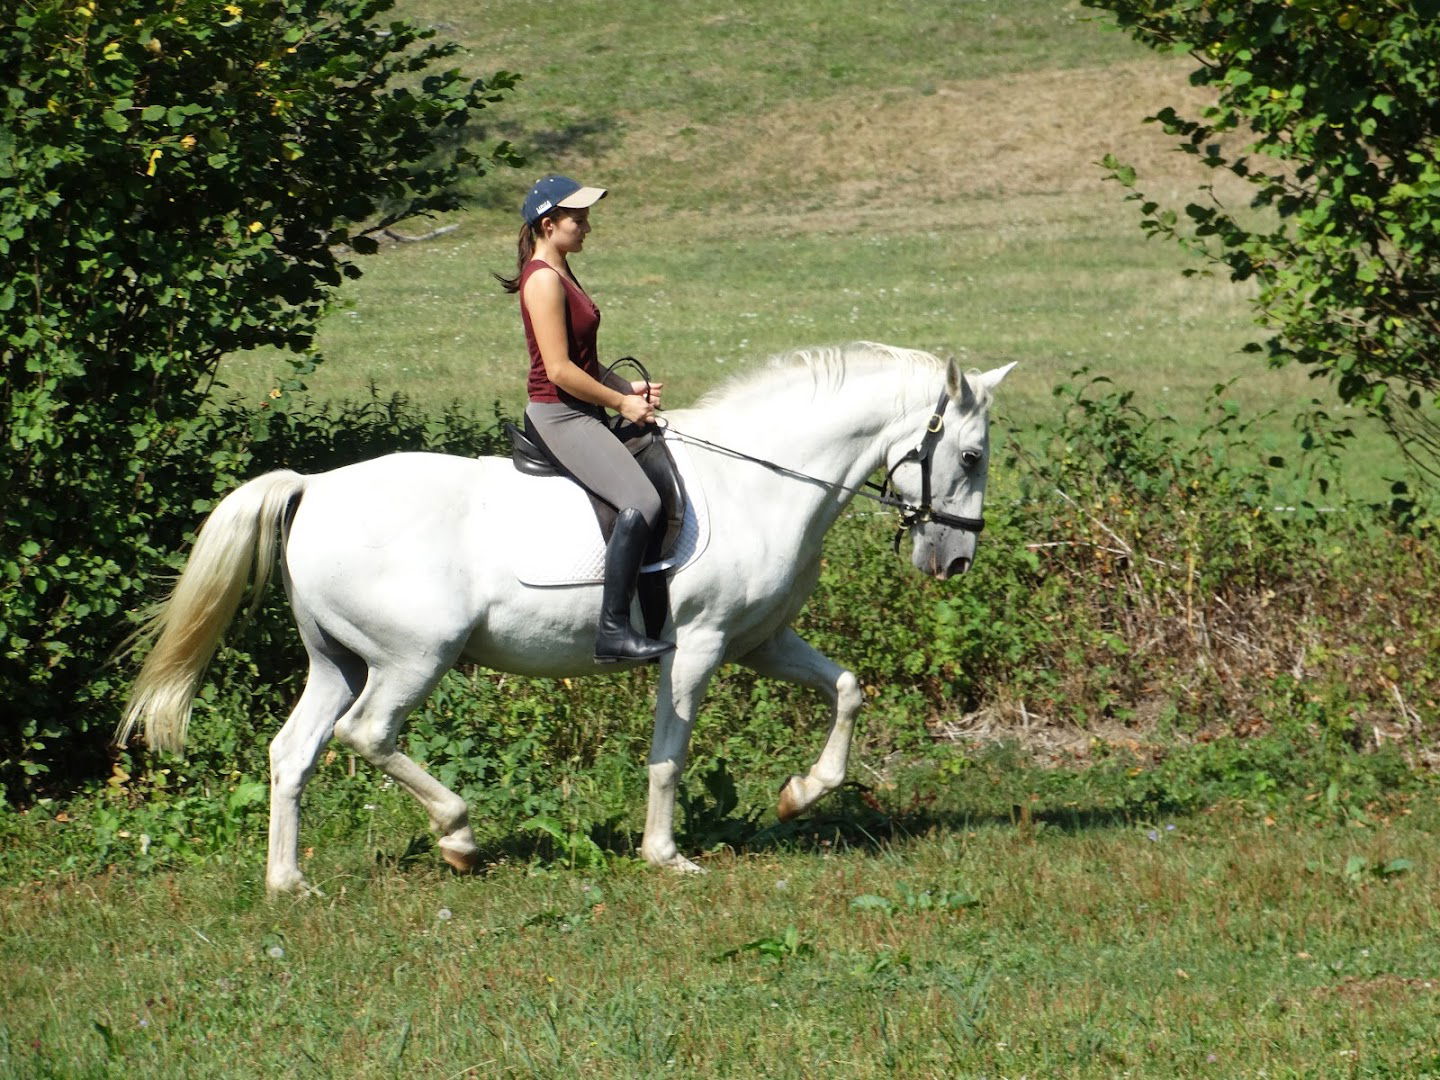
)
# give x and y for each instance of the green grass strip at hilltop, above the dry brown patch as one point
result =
(614, 61)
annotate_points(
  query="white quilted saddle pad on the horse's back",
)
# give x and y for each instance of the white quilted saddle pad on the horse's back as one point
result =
(559, 542)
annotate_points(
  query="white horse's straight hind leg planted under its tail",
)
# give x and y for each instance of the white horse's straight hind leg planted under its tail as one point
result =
(330, 689)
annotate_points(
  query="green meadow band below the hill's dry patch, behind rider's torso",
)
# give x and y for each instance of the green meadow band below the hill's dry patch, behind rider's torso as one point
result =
(1052, 302)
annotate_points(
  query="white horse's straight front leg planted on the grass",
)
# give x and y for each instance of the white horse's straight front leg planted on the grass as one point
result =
(683, 679)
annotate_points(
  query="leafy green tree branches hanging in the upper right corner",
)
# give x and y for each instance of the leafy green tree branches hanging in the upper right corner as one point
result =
(1337, 104)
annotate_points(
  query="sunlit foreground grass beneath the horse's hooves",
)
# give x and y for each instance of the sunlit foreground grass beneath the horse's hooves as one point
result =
(1068, 945)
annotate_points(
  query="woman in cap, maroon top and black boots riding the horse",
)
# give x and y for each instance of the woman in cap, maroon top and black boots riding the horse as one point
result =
(570, 394)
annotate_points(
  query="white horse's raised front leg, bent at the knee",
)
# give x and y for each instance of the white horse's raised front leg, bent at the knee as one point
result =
(788, 657)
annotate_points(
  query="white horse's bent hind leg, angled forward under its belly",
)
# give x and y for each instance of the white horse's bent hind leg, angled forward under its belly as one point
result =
(371, 729)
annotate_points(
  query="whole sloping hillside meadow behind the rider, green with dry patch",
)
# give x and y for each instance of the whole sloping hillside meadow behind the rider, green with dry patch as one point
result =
(922, 176)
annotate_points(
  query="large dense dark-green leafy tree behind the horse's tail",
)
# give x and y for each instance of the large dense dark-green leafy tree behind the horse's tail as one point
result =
(179, 179)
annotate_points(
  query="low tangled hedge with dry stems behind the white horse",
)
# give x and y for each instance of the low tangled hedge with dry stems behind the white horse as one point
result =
(1135, 584)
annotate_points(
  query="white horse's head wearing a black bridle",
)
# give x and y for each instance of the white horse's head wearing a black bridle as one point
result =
(960, 464)
